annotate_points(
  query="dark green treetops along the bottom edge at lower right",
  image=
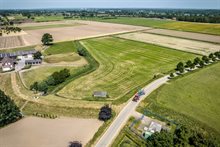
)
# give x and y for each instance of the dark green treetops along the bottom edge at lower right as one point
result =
(182, 137)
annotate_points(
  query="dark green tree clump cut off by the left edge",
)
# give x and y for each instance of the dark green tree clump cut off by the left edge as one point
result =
(9, 112)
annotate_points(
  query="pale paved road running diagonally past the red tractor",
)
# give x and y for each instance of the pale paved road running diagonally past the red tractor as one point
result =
(125, 114)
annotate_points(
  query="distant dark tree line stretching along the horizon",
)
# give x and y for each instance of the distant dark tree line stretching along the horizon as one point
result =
(192, 15)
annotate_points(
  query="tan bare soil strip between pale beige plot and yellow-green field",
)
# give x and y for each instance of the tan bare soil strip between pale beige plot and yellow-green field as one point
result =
(187, 35)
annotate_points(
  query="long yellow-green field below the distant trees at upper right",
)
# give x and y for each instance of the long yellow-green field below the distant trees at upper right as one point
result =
(167, 24)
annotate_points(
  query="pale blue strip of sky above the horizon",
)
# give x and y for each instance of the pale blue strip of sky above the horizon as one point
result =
(33, 4)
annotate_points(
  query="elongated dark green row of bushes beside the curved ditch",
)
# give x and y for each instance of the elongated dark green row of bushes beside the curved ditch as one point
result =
(53, 80)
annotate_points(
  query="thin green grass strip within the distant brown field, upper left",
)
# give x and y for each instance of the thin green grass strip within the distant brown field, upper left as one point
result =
(49, 26)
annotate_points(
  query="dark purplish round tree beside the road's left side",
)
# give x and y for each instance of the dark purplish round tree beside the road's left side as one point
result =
(105, 113)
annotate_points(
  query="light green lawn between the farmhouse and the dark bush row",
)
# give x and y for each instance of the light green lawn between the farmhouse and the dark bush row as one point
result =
(41, 73)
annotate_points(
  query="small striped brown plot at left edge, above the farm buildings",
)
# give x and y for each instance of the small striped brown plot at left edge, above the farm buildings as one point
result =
(11, 41)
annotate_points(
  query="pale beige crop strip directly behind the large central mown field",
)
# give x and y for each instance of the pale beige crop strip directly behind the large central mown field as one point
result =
(175, 43)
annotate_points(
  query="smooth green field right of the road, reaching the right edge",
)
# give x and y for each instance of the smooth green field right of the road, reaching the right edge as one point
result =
(196, 95)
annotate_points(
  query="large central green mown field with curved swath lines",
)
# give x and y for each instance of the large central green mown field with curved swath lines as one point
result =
(124, 65)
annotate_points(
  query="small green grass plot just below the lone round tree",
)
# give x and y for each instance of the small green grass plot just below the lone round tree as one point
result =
(61, 48)
